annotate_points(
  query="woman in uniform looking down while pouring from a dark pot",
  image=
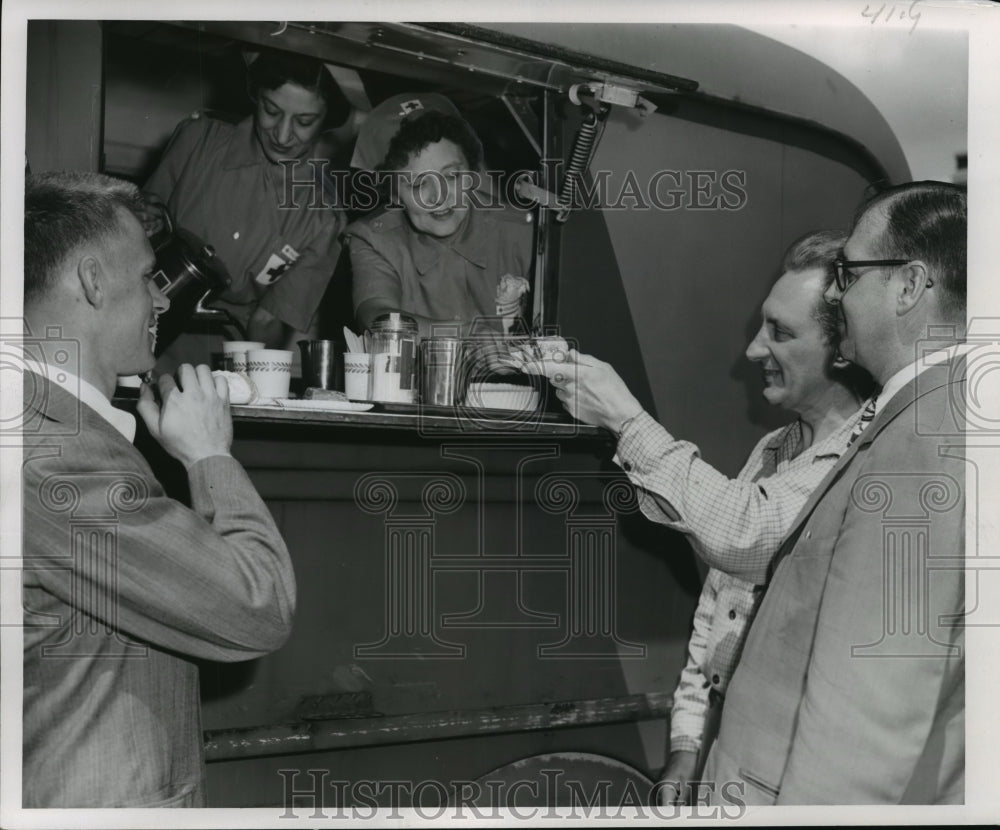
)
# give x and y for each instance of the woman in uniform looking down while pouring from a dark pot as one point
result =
(257, 192)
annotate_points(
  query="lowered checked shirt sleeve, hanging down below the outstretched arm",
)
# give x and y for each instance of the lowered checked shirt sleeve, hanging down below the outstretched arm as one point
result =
(687, 715)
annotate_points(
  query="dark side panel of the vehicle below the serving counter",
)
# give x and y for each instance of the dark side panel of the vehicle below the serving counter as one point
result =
(473, 588)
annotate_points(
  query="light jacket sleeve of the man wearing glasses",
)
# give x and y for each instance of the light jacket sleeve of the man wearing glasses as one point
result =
(883, 678)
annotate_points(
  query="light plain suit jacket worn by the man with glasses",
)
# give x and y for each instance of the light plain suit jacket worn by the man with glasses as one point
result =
(851, 687)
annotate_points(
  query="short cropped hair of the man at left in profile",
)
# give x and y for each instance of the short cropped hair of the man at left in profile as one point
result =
(64, 210)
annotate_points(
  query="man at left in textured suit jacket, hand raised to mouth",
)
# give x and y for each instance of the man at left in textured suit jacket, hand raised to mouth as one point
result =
(122, 585)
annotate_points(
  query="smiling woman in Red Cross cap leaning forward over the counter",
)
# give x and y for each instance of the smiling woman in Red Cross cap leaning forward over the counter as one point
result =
(442, 251)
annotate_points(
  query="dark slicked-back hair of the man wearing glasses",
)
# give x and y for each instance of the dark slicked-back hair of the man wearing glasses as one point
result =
(927, 221)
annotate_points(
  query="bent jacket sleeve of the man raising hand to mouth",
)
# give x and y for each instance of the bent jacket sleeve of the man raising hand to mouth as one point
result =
(214, 582)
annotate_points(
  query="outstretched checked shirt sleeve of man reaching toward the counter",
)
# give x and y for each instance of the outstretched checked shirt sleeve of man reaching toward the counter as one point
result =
(734, 525)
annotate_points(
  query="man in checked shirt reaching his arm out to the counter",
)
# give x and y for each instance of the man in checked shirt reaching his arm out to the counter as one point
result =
(735, 525)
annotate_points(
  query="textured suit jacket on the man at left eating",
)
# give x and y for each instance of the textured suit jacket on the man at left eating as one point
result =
(121, 586)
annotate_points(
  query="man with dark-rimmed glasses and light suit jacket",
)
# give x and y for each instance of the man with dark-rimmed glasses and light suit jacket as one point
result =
(851, 688)
